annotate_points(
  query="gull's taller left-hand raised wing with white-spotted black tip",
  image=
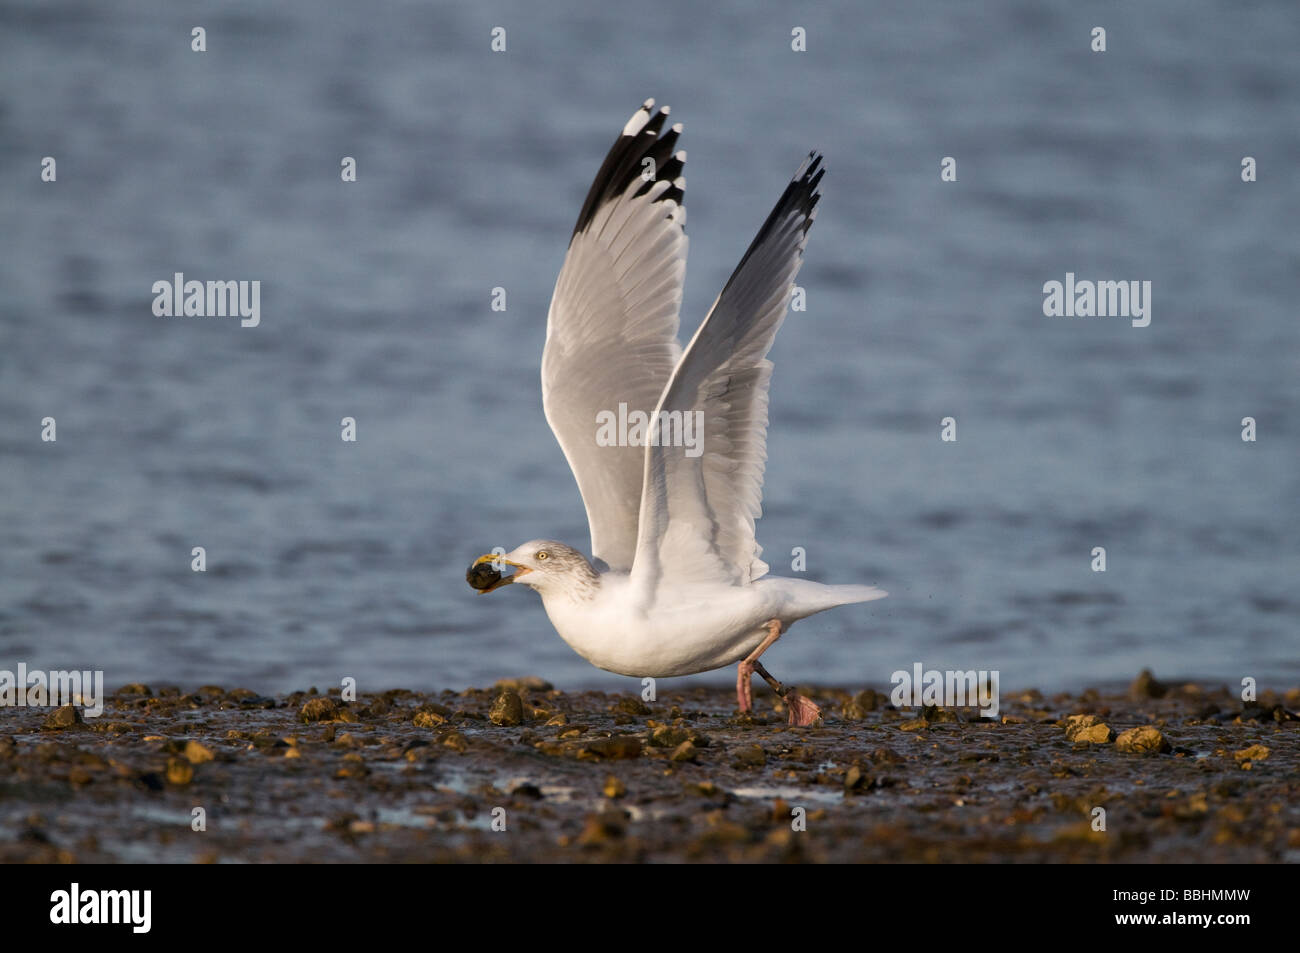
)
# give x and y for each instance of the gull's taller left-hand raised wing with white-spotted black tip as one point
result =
(612, 335)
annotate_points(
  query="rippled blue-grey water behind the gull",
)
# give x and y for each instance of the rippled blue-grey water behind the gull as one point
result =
(331, 560)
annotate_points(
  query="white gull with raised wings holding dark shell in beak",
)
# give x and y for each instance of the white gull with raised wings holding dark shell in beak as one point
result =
(668, 444)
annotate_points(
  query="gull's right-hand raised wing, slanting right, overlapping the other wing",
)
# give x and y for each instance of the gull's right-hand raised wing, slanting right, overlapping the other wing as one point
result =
(699, 506)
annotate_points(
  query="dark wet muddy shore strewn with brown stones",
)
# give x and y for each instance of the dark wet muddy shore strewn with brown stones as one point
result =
(593, 777)
